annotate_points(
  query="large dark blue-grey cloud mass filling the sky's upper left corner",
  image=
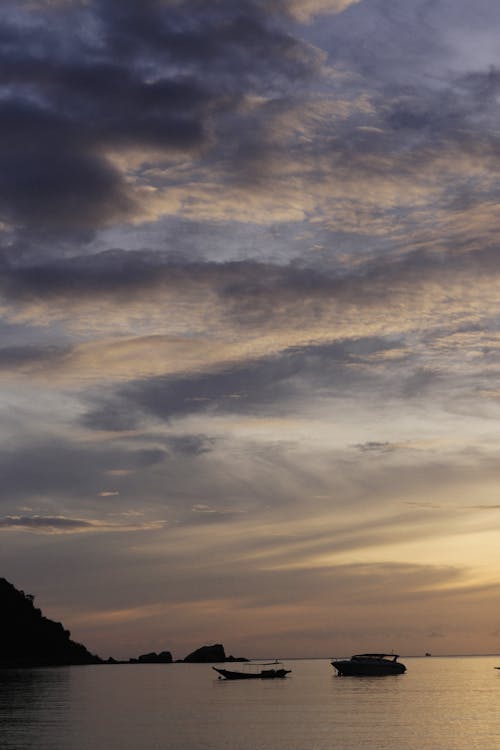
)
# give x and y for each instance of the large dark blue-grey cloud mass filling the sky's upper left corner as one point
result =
(114, 84)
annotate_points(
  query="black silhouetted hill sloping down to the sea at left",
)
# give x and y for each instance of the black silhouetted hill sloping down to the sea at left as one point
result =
(28, 639)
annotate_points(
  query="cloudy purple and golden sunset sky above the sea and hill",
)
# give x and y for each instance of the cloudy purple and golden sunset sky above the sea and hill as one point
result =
(250, 323)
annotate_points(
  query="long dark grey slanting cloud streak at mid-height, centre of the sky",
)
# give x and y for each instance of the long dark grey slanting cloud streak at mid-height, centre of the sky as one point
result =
(267, 385)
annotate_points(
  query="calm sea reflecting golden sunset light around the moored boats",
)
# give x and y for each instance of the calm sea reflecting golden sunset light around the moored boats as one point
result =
(439, 704)
